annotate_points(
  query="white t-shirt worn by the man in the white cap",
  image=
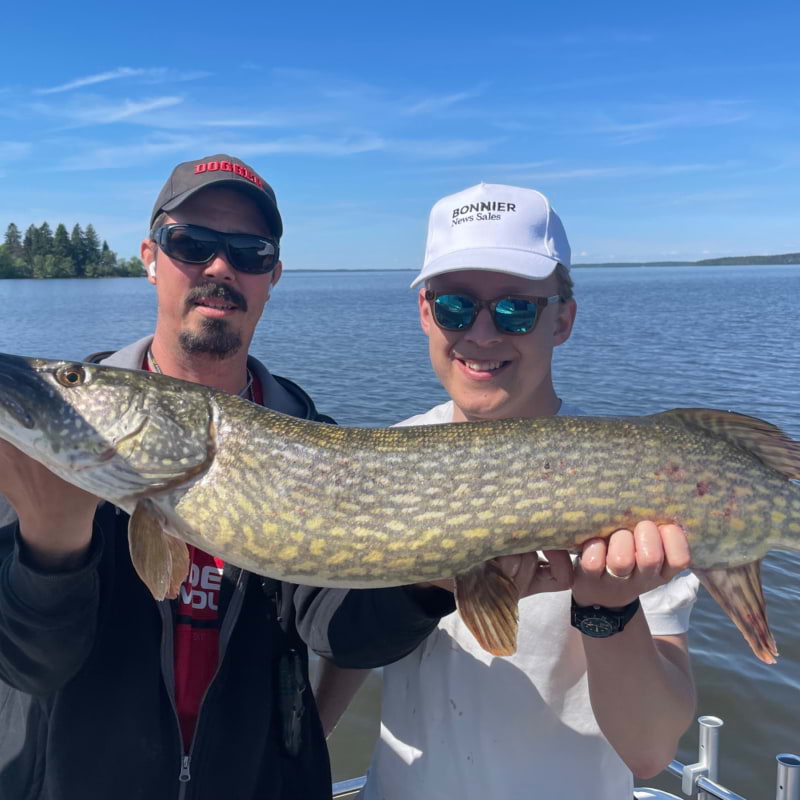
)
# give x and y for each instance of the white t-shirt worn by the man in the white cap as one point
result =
(460, 724)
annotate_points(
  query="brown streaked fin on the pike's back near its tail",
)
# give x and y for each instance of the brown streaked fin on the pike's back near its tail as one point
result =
(765, 441)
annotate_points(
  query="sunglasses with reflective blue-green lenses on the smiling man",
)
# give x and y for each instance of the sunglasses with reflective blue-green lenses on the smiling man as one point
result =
(514, 314)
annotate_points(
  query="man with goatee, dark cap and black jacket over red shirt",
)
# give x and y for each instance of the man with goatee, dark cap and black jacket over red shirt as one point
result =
(106, 693)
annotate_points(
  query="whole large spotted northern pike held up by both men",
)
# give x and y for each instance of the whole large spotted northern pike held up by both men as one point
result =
(328, 505)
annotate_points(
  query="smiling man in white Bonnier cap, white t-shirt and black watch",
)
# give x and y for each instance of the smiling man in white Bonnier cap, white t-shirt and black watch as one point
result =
(600, 686)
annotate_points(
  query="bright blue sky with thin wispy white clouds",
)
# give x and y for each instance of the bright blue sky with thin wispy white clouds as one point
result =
(658, 131)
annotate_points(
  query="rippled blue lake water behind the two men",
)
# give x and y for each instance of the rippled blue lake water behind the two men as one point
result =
(646, 339)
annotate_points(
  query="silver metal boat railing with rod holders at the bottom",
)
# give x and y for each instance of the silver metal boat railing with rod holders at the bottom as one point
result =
(698, 780)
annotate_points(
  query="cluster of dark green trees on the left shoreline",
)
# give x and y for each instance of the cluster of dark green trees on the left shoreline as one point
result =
(40, 253)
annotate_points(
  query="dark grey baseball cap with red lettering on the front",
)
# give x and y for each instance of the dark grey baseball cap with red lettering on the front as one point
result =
(190, 177)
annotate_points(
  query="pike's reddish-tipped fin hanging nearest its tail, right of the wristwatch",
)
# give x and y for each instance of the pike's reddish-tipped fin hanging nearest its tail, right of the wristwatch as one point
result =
(738, 592)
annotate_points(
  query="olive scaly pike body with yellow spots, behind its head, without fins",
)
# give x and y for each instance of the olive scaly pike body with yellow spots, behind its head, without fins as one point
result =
(366, 507)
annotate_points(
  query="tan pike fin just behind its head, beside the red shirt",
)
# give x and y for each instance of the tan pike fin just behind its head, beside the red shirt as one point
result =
(161, 561)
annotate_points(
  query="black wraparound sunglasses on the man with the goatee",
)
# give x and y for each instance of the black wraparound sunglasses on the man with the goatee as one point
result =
(194, 244)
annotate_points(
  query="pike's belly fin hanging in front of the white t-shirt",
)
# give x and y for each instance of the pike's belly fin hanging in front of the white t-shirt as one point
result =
(488, 600)
